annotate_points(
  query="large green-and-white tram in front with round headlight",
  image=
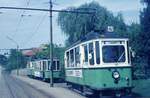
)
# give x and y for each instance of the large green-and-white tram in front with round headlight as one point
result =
(100, 63)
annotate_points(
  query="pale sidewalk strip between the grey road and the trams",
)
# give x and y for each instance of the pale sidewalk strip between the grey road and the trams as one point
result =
(58, 91)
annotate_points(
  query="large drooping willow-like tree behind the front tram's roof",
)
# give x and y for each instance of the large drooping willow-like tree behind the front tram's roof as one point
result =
(77, 25)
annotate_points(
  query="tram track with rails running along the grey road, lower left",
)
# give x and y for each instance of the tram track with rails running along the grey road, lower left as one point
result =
(19, 89)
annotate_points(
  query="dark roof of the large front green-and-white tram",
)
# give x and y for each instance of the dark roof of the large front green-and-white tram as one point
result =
(98, 35)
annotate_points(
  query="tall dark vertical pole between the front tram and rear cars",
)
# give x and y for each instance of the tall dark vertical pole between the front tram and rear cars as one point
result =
(51, 44)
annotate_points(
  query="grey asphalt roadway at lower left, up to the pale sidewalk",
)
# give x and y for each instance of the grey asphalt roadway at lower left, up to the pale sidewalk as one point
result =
(11, 87)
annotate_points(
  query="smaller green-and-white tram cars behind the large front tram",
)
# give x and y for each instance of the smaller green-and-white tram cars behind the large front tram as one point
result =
(41, 69)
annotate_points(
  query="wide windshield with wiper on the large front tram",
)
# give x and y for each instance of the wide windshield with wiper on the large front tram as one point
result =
(113, 54)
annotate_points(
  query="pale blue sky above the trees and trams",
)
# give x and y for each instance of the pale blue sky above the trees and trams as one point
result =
(31, 28)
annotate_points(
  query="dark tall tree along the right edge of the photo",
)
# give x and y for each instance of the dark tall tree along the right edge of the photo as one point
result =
(144, 36)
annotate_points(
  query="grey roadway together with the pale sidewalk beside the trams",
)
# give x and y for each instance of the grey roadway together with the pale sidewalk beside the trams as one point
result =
(24, 87)
